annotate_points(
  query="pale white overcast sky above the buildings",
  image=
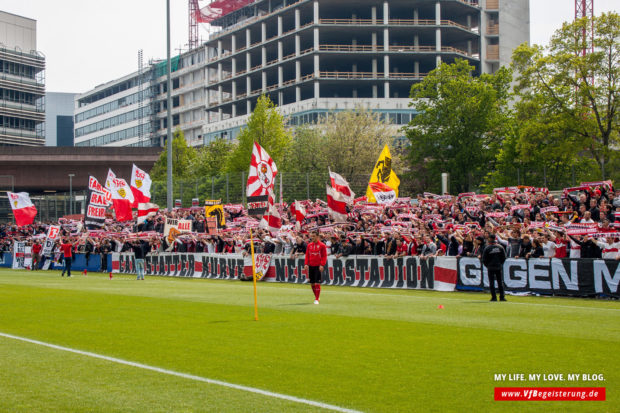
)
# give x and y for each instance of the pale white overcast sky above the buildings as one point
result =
(89, 42)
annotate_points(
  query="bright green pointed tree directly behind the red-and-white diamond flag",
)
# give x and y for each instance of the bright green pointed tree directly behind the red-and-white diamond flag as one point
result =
(265, 126)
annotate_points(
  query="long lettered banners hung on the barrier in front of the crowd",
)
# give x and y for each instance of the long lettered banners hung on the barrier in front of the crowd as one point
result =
(573, 277)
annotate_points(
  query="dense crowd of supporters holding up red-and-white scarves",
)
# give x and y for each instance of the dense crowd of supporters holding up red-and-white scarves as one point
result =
(581, 222)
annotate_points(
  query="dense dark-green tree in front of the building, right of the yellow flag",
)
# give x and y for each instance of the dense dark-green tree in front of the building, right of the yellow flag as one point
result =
(460, 125)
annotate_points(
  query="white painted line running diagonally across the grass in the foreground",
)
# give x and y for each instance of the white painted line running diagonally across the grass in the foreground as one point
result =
(184, 375)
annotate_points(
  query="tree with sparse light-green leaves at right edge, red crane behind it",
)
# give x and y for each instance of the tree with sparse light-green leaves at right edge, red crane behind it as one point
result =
(576, 95)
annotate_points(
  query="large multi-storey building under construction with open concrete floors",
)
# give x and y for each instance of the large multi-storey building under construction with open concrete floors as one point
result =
(311, 57)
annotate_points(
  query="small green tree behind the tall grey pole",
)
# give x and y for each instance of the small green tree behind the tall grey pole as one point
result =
(183, 160)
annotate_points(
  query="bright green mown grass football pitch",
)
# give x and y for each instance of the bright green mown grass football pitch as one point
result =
(363, 349)
